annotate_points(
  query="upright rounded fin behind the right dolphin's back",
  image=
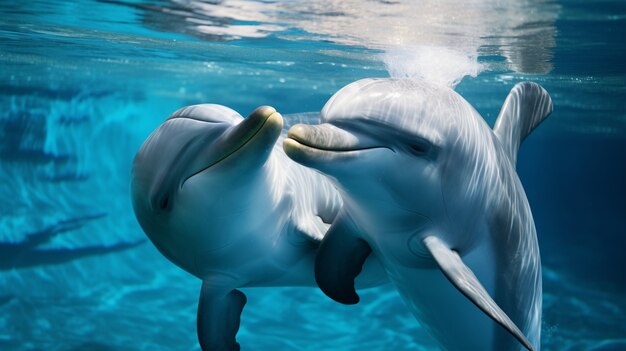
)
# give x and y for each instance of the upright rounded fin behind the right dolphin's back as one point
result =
(527, 105)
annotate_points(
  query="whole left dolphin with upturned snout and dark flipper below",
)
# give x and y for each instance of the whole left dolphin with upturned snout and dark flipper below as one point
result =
(218, 197)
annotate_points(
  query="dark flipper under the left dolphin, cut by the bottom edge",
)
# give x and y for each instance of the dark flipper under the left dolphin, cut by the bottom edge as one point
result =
(218, 318)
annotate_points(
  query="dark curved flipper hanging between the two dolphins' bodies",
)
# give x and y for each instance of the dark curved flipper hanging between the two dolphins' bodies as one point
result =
(339, 261)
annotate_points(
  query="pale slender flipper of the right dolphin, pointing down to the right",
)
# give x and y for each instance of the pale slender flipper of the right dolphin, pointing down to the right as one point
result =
(466, 282)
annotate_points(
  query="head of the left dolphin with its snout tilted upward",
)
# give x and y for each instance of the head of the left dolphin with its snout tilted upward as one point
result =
(180, 172)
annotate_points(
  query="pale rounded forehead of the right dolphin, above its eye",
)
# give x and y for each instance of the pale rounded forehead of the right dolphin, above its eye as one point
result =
(418, 108)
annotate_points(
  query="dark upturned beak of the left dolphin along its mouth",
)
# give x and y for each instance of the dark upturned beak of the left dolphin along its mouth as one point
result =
(239, 136)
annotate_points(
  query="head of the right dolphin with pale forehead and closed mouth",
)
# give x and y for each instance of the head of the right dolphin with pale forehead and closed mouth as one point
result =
(389, 144)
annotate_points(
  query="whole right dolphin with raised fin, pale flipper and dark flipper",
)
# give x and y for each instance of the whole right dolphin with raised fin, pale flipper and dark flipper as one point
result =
(432, 191)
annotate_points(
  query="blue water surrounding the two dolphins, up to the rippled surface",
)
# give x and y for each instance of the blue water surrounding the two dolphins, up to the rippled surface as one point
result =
(83, 83)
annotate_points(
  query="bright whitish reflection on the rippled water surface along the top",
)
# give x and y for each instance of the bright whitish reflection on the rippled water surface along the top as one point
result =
(522, 32)
